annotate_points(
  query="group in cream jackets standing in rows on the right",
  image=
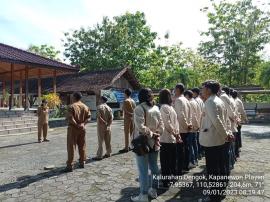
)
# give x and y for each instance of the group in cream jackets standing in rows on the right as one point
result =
(186, 125)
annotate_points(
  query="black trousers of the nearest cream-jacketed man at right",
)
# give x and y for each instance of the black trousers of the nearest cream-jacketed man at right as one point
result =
(215, 166)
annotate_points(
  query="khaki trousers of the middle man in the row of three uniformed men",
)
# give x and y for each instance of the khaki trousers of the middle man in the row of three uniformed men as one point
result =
(104, 135)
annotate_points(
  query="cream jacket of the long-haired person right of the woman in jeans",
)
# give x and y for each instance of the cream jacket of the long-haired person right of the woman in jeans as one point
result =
(171, 125)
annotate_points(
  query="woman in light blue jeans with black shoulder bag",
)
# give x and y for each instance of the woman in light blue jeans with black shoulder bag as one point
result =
(148, 121)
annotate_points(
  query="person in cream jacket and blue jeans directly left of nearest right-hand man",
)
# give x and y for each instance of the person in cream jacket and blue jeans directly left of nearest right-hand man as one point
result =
(192, 139)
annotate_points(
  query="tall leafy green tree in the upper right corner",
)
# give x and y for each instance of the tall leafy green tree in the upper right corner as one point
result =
(237, 33)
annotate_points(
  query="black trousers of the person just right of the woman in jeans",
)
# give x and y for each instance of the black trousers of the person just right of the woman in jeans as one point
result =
(168, 160)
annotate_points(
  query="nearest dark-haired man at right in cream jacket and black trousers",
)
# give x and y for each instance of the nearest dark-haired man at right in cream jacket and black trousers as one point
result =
(213, 135)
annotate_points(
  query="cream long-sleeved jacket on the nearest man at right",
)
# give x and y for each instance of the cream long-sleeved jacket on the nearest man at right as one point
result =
(213, 130)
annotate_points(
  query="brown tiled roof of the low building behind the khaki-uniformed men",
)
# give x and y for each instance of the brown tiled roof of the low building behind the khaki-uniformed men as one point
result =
(97, 80)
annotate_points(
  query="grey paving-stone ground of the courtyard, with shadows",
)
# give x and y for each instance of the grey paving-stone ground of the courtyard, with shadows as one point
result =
(23, 178)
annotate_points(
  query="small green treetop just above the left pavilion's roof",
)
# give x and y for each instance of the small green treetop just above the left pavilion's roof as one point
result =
(45, 51)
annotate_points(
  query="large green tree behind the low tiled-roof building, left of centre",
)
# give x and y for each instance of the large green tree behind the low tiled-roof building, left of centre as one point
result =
(123, 40)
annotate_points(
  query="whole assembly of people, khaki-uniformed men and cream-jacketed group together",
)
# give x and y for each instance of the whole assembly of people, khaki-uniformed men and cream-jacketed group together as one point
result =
(183, 127)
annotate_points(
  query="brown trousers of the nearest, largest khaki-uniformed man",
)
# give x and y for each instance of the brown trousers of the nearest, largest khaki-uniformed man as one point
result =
(75, 137)
